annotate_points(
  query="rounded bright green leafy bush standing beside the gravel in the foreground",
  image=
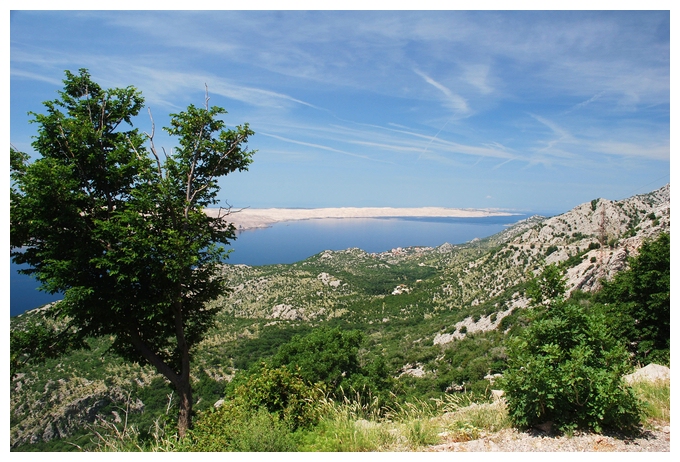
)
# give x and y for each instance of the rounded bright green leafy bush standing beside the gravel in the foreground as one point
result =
(566, 368)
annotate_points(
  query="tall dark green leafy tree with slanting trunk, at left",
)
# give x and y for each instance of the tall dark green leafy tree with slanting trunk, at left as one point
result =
(120, 231)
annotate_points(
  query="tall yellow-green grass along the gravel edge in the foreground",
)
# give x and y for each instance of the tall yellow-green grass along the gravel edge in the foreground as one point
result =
(358, 424)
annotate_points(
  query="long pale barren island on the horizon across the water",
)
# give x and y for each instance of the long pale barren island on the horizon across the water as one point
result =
(262, 218)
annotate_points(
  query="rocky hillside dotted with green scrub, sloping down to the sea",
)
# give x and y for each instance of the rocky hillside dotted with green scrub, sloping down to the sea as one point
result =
(418, 307)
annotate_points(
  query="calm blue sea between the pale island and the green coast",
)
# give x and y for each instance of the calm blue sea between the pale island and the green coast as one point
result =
(293, 241)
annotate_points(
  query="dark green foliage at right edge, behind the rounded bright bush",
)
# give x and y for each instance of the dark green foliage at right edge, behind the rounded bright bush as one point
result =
(638, 300)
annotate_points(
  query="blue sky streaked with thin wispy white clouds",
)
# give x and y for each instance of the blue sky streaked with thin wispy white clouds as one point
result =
(521, 110)
